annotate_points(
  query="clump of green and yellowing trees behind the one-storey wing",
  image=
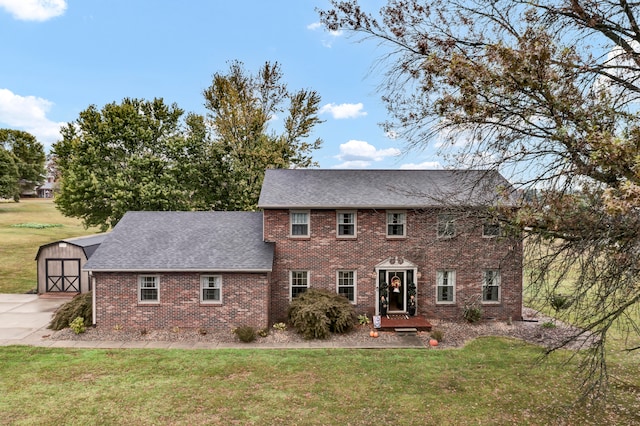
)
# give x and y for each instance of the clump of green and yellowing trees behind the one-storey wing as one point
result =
(147, 155)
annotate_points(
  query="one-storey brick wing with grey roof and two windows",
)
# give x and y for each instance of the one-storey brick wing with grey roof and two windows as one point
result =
(183, 269)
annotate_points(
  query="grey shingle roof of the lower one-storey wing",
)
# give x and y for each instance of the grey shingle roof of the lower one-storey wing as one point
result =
(185, 241)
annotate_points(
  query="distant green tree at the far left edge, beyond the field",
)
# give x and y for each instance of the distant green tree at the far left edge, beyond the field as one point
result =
(27, 155)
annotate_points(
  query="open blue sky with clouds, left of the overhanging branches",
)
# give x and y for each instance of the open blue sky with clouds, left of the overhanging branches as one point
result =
(60, 56)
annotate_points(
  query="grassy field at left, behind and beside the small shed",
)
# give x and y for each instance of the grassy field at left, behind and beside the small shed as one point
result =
(24, 227)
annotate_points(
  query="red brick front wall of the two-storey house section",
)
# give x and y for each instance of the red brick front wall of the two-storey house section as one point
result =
(468, 253)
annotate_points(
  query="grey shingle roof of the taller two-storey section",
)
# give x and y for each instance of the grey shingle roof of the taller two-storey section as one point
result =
(317, 188)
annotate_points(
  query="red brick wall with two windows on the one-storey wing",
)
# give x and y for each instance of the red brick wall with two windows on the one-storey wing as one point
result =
(245, 301)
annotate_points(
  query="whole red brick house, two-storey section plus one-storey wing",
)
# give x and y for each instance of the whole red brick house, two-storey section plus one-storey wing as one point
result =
(408, 242)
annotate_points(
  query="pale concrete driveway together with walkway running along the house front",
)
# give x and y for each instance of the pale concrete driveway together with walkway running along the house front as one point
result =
(24, 319)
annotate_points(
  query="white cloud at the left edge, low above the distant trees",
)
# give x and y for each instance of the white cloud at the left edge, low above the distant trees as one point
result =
(29, 113)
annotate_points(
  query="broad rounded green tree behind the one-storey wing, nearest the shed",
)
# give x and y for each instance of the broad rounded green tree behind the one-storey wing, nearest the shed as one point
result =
(137, 155)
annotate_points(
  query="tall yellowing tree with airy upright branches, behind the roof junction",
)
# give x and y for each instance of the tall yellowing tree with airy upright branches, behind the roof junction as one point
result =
(241, 107)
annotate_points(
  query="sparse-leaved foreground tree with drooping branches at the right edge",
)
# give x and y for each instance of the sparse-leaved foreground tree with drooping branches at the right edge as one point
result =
(545, 91)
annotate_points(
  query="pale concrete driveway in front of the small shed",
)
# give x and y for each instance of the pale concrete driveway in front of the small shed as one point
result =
(22, 315)
